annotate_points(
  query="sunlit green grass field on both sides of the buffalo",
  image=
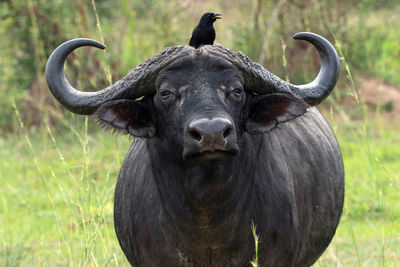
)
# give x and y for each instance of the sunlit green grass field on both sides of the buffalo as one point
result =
(56, 196)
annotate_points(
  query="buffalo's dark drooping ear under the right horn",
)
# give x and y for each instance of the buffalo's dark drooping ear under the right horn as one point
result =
(271, 110)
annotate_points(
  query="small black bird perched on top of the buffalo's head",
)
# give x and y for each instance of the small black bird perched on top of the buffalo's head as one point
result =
(204, 33)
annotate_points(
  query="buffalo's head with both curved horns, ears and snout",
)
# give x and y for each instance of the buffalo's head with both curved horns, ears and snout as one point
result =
(197, 102)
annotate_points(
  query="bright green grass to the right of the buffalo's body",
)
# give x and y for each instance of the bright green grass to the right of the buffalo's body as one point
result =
(369, 231)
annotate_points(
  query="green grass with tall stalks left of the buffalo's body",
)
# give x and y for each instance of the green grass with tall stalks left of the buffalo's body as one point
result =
(56, 199)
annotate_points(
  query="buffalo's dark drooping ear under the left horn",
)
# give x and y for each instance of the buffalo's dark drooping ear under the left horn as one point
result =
(134, 117)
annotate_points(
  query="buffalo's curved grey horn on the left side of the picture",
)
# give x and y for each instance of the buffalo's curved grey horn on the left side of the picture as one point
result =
(136, 84)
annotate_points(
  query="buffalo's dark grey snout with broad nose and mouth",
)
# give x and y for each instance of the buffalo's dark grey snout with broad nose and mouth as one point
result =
(211, 137)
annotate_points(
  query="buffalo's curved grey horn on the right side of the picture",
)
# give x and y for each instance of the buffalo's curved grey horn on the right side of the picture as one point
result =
(261, 81)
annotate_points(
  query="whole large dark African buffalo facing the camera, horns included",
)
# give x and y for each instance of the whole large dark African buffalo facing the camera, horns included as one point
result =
(222, 143)
